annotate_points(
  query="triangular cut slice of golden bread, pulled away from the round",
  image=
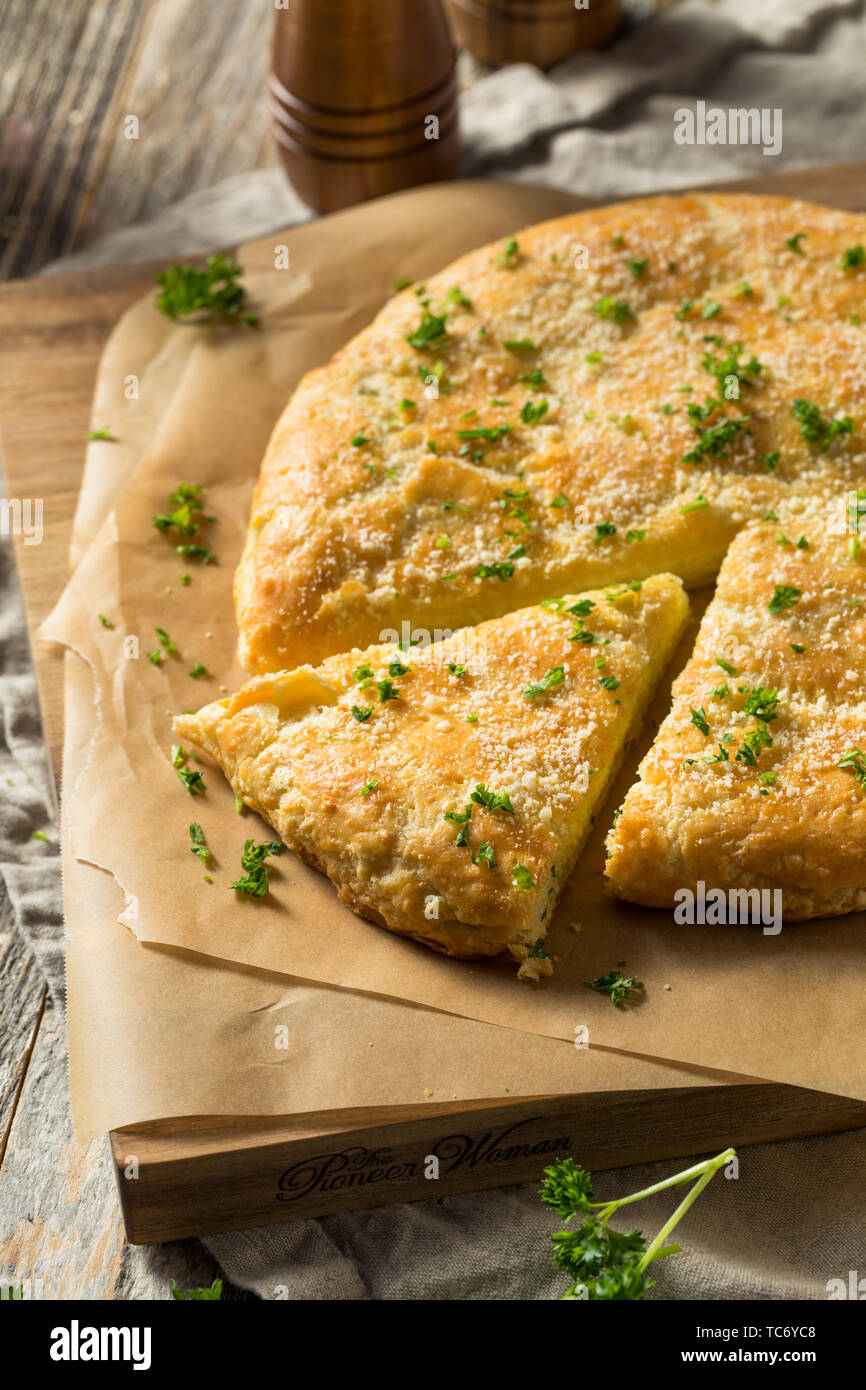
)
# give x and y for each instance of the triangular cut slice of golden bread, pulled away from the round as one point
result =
(448, 790)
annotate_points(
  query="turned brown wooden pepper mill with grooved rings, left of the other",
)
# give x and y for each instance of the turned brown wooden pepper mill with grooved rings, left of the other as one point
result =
(363, 97)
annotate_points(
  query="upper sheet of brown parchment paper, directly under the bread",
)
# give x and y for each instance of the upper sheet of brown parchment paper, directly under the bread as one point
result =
(739, 1001)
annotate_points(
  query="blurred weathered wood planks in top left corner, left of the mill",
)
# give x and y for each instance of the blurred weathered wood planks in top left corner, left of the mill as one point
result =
(195, 77)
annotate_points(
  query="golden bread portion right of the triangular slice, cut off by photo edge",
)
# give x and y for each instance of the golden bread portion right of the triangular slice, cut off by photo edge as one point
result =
(793, 819)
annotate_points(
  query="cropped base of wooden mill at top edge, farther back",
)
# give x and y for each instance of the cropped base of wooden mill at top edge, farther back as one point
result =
(533, 31)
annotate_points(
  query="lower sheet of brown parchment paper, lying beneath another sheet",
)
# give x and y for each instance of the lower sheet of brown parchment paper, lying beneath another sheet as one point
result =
(158, 1033)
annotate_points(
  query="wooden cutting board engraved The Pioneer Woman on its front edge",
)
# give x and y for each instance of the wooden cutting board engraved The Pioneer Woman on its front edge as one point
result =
(206, 1175)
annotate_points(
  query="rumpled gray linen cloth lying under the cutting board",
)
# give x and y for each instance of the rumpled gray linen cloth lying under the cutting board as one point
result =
(603, 126)
